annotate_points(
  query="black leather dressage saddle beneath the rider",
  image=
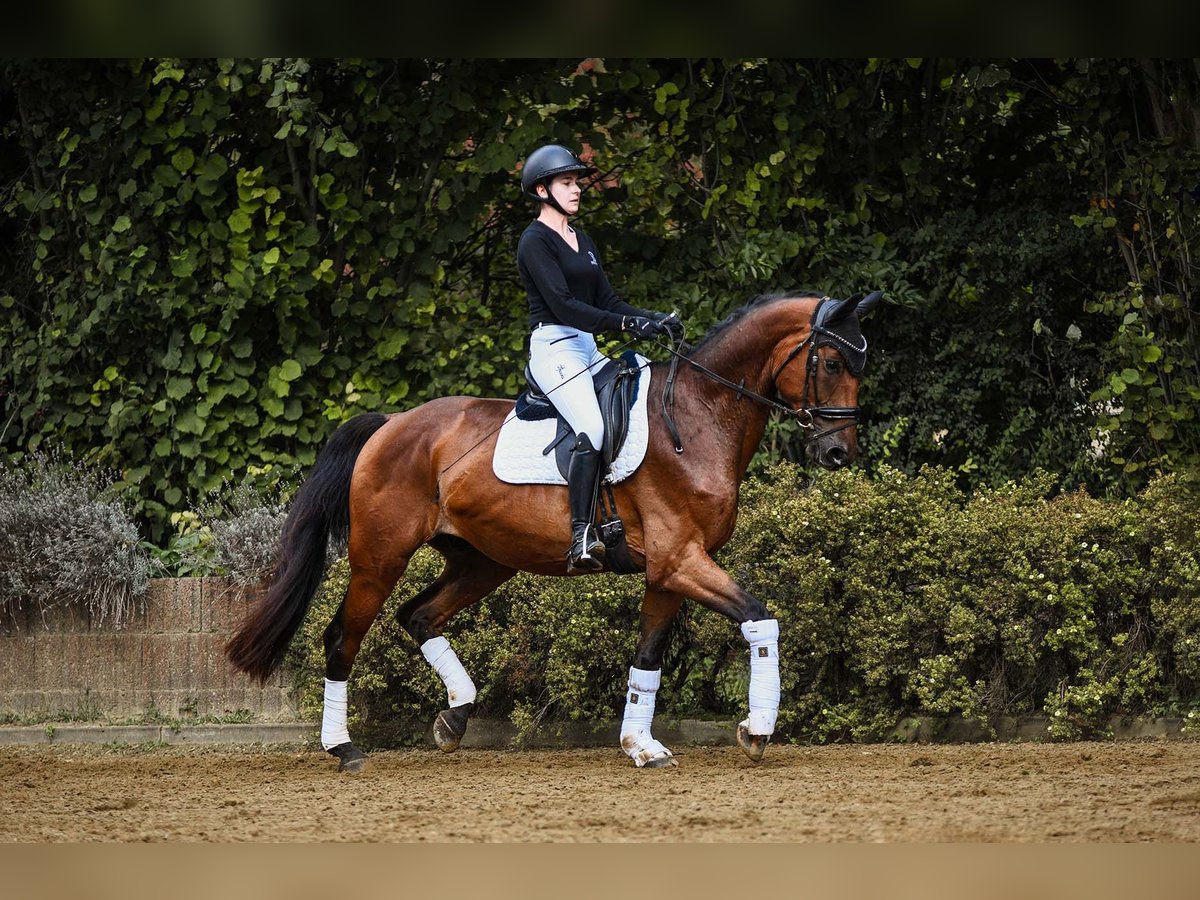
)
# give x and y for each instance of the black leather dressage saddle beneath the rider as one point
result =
(616, 386)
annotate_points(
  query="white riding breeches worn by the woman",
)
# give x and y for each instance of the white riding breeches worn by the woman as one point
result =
(563, 361)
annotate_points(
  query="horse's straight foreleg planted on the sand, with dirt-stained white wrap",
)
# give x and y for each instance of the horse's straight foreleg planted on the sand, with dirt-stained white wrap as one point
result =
(659, 610)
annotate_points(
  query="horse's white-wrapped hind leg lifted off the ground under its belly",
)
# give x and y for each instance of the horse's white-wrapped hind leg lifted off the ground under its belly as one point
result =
(469, 578)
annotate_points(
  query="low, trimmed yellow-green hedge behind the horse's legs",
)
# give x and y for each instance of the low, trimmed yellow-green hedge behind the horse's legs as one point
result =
(896, 596)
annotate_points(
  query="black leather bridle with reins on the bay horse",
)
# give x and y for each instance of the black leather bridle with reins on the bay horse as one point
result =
(806, 416)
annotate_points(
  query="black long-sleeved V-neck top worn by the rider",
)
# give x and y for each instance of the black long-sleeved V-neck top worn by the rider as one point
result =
(568, 287)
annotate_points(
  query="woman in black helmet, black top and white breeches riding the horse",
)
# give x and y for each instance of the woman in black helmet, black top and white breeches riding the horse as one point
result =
(571, 299)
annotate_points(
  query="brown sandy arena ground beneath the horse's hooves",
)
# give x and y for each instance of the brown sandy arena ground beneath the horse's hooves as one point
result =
(989, 793)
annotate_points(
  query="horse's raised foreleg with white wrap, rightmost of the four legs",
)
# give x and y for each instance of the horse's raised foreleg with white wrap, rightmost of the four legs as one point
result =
(694, 574)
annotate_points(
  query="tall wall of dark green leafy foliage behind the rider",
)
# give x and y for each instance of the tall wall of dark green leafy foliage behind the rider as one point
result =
(206, 266)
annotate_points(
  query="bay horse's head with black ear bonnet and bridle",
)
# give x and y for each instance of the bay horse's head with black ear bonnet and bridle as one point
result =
(819, 379)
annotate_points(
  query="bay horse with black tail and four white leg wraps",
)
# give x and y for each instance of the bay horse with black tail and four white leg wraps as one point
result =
(395, 483)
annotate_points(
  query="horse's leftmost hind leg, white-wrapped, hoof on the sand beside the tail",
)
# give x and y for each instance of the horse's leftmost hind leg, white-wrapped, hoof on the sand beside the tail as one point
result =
(364, 598)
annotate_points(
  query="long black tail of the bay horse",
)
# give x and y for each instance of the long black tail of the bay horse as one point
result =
(320, 511)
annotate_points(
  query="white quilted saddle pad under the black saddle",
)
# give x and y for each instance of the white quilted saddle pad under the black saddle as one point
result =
(519, 459)
